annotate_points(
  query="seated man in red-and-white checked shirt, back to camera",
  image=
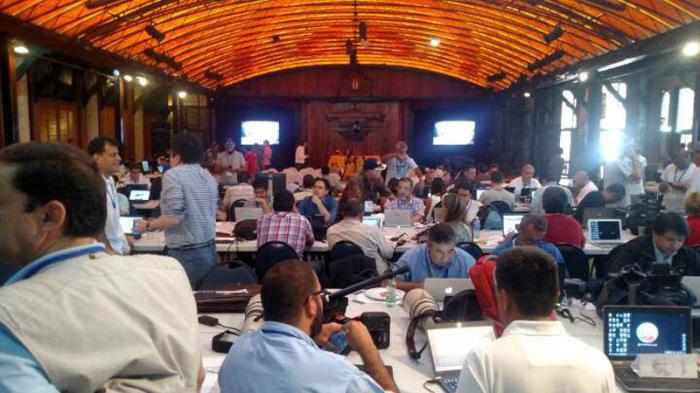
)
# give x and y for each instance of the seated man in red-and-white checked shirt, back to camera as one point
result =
(284, 225)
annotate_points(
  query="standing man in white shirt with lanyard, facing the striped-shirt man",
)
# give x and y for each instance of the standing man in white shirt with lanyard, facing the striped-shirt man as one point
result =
(105, 151)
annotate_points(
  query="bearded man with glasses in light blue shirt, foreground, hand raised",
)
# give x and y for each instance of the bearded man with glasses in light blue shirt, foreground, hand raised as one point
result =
(284, 355)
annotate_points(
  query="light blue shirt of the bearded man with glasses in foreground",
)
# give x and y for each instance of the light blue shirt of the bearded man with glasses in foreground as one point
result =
(282, 358)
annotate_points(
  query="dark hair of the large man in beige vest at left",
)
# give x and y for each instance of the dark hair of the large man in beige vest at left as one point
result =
(60, 172)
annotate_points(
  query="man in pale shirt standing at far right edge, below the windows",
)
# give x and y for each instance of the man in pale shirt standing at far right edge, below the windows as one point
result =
(676, 179)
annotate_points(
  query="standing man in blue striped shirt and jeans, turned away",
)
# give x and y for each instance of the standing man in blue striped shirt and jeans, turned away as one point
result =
(188, 204)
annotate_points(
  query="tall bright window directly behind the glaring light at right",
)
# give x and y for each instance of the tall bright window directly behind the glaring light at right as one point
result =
(613, 121)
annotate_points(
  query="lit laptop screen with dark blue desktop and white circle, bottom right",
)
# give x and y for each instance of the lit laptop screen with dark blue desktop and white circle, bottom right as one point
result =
(633, 330)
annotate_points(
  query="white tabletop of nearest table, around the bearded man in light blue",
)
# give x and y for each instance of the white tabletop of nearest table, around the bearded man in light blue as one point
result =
(410, 375)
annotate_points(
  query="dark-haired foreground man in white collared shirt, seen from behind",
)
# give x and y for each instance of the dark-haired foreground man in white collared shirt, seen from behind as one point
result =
(534, 354)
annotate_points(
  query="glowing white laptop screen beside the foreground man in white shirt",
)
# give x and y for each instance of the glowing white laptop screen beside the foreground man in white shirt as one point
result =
(450, 346)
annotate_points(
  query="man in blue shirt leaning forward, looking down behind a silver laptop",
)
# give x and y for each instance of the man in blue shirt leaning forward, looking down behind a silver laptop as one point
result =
(438, 258)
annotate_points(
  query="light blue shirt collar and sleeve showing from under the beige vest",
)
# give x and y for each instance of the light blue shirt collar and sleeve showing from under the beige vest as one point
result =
(20, 371)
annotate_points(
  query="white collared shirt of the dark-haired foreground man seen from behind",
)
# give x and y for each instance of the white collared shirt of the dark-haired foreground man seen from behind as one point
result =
(536, 357)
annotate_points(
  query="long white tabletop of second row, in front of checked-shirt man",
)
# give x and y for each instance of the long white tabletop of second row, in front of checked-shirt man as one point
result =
(154, 242)
